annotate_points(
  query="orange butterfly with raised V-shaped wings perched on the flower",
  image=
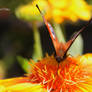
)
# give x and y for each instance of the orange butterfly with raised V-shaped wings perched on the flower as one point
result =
(61, 48)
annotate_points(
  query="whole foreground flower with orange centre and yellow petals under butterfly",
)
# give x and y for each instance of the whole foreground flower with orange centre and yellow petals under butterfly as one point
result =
(47, 75)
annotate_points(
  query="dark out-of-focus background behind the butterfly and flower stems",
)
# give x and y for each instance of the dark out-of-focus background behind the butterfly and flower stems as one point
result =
(17, 39)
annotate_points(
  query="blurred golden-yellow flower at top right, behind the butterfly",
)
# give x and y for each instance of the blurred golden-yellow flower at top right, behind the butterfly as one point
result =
(68, 10)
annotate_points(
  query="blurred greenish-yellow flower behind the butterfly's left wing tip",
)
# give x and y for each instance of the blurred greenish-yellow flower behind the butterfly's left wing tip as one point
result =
(29, 12)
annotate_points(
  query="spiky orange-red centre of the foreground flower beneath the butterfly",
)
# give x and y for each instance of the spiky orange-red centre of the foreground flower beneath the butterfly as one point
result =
(68, 76)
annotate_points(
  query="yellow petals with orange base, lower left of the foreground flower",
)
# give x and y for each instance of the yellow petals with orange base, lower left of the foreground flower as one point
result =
(21, 84)
